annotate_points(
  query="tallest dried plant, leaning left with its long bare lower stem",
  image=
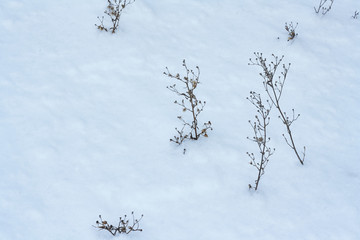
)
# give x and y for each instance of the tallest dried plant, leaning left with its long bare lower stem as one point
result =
(274, 88)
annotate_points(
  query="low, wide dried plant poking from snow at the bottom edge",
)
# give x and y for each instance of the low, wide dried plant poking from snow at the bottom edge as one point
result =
(123, 226)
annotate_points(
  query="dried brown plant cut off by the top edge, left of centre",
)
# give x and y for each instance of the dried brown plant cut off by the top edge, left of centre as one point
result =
(114, 11)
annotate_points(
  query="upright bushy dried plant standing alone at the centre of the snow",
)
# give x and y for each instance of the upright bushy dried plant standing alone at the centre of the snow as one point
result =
(189, 103)
